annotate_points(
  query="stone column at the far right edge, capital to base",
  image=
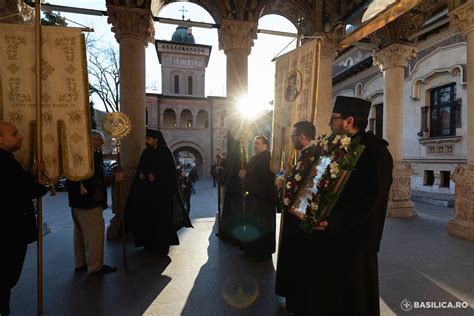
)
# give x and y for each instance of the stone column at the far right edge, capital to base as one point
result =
(462, 225)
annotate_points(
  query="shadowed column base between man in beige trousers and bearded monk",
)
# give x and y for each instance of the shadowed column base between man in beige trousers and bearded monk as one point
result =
(114, 229)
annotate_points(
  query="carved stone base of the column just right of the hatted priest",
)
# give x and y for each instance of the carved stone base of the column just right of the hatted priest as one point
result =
(399, 201)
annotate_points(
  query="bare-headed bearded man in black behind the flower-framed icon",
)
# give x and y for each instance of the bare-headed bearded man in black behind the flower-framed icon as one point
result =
(295, 261)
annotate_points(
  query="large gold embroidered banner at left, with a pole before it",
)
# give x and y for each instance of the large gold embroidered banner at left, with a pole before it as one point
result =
(66, 140)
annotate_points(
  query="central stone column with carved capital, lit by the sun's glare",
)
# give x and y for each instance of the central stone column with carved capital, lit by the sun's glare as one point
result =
(236, 39)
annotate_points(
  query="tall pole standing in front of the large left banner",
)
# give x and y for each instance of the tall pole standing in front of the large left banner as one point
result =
(38, 155)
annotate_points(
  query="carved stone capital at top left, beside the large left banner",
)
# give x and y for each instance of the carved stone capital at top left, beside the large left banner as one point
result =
(131, 22)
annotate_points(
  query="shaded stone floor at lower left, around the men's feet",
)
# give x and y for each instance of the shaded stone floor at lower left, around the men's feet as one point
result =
(125, 292)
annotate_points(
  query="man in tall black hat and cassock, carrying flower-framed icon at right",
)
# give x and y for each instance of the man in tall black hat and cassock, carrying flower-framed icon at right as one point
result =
(356, 223)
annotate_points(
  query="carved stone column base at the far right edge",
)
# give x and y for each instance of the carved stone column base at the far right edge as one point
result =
(462, 225)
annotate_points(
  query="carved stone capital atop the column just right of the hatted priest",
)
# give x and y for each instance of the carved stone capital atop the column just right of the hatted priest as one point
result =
(394, 55)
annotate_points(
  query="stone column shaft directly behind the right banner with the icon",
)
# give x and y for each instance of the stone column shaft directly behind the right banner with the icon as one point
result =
(324, 94)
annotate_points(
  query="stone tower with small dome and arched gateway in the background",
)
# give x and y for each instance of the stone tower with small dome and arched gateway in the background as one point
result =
(189, 121)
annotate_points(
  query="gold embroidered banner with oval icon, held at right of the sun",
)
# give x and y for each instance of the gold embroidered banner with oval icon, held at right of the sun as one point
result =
(295, 97)
